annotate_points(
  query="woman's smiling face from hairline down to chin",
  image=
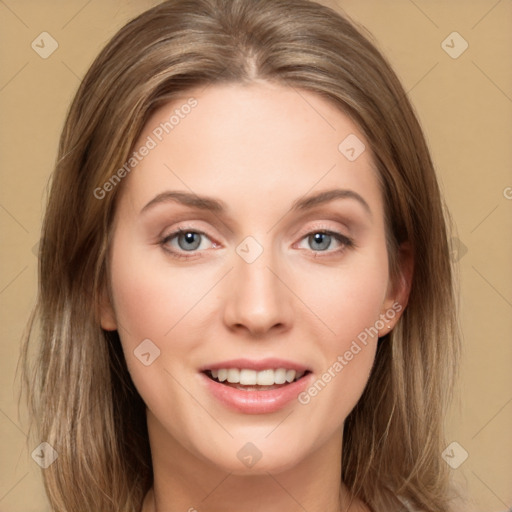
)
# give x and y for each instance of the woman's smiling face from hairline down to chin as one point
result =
(251, 291)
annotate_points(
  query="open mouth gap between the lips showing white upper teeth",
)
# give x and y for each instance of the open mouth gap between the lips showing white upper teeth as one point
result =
(246, 379)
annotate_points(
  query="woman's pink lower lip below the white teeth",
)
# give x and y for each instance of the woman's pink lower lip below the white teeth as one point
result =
(256, 402)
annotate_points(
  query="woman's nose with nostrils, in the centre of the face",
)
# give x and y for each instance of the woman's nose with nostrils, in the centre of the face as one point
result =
(256, 297)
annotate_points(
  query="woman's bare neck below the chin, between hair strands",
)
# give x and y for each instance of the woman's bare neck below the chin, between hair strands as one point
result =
(185, 482)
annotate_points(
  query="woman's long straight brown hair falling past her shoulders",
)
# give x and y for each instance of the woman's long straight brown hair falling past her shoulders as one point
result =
(82, 399)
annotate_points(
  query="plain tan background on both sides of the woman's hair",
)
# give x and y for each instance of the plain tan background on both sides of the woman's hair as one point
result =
(465, 106)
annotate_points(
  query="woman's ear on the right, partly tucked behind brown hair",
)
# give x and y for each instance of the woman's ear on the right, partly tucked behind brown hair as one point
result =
(398, 292)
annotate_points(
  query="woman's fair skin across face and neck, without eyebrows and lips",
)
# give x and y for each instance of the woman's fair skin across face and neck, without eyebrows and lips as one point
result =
(258, 148)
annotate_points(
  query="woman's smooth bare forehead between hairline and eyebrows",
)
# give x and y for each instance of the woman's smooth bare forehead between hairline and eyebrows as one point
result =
(253, 146)
